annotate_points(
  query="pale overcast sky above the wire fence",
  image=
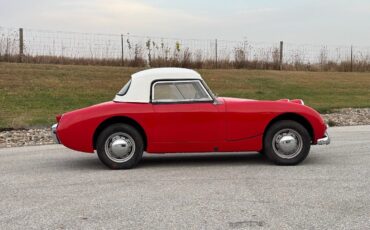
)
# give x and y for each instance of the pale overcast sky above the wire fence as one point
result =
(336, 22)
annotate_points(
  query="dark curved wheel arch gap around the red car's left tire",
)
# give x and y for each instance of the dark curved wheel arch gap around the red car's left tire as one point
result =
(119, 119)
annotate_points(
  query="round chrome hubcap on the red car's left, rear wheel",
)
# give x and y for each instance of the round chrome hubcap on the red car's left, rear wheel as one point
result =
(120, 147)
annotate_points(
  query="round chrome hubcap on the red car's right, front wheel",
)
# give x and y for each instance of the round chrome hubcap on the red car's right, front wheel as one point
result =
(287, 143)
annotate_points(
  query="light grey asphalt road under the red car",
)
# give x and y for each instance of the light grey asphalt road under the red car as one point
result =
(51, 187)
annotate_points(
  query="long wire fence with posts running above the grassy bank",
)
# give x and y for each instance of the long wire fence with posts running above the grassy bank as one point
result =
(60, 47)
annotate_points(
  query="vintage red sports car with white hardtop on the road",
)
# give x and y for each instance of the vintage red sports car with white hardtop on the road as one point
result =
(171, 110)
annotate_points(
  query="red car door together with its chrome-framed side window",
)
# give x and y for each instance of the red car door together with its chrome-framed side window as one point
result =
(186, 117)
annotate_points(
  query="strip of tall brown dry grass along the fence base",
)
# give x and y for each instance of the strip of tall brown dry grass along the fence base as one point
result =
(186, 59)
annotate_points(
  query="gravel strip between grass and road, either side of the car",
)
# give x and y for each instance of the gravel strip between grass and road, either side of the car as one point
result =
(42, 136)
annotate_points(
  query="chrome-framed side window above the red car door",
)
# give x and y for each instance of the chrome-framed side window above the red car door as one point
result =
(179, 91)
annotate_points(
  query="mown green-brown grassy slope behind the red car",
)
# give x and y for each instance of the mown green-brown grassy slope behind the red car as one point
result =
(32, 94)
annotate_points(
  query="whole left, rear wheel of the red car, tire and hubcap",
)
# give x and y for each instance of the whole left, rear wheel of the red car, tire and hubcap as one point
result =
(120, 146)
